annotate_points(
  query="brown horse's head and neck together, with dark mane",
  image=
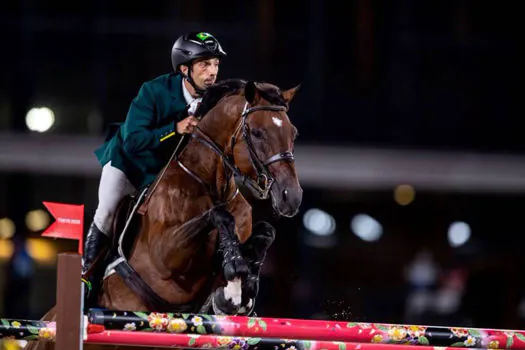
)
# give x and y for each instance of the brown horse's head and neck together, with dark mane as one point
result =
(248, 121)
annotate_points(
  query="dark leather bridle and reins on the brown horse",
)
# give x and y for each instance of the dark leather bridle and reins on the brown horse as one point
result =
(263, 183)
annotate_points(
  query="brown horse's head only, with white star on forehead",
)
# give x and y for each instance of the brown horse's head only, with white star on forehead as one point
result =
(264, 145)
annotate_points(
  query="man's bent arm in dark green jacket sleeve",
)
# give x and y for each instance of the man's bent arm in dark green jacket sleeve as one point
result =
(140, 131)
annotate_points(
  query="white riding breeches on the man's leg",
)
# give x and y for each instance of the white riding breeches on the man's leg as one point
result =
(114, 185)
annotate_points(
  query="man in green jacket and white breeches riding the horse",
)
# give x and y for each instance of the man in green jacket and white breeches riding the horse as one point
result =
(135, 153)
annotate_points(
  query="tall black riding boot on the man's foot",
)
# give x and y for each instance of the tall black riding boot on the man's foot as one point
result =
(95, 242)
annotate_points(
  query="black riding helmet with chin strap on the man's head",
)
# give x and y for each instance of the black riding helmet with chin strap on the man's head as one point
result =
(191, 46)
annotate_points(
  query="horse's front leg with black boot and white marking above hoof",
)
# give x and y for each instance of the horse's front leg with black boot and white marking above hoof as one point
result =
(228, 299)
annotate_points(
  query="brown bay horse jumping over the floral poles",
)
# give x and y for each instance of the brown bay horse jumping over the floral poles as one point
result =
(195, 245)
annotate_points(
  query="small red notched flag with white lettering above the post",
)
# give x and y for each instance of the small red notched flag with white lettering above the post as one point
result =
(69, 222)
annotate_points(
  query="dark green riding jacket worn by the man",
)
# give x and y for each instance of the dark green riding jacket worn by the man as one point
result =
(143, 143)
